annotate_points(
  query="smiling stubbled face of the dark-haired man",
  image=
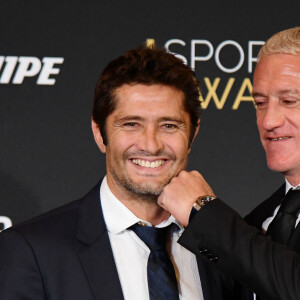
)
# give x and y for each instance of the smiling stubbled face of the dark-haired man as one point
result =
(148, 137)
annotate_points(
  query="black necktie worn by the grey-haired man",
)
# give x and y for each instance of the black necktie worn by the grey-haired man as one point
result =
(284, 222)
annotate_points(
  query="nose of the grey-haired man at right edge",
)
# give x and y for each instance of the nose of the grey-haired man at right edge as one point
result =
(273, 117)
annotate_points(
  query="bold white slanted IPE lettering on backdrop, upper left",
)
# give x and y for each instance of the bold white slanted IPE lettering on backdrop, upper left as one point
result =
(15, 69)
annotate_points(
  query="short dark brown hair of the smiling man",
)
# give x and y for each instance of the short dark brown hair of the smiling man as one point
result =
(145, 65)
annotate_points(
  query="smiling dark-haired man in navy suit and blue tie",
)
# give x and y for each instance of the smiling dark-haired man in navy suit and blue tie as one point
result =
(145, 118)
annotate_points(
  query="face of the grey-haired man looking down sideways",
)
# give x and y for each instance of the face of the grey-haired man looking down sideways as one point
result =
(276, 91)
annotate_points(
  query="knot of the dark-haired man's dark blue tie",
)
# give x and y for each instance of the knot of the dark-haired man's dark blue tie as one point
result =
(155, 238)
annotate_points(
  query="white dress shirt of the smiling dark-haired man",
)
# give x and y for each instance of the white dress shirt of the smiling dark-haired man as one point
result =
(131, 254)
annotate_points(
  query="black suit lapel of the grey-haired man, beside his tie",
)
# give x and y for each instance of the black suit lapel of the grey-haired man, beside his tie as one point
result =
(265, 209)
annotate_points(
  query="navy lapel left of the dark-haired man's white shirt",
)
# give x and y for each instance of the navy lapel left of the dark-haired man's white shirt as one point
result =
(94, 249)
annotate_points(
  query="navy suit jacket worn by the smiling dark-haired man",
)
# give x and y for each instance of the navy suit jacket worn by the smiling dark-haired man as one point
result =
(65, 254)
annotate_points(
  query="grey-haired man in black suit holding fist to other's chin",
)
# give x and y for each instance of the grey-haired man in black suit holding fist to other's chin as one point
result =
(265, 256)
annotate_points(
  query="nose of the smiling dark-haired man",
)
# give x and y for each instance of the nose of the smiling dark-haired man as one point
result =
(150, 140)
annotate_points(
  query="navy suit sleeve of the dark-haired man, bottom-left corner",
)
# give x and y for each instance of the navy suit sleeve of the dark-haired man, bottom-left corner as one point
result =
(20, 277)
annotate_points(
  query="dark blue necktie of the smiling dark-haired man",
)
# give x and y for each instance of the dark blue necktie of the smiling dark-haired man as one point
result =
(162, 281)
